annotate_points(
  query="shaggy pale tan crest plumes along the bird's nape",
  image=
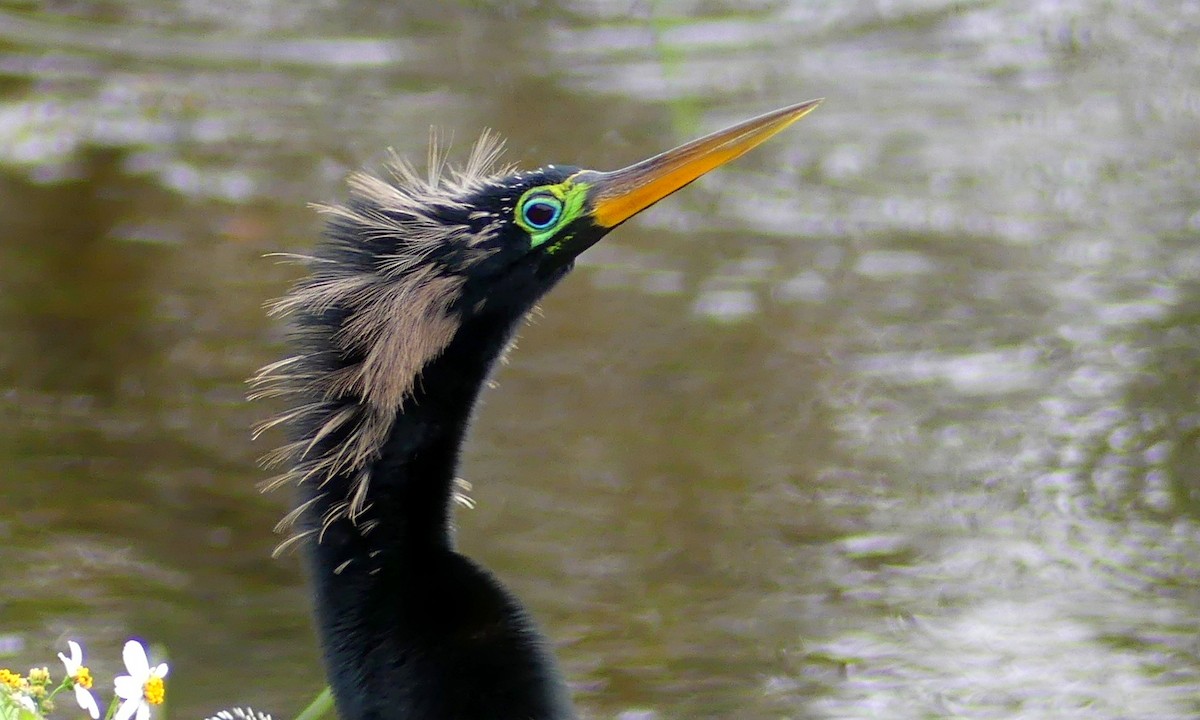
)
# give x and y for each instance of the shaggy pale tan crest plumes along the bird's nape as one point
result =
(399, 321)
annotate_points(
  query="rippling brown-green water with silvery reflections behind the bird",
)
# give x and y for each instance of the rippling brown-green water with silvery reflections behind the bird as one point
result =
(896, 419)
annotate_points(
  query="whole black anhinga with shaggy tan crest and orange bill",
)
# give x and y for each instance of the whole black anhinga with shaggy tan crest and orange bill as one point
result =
(410, 301)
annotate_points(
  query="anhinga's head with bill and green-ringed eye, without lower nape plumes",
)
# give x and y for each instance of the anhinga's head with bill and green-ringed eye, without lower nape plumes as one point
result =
(473, 242)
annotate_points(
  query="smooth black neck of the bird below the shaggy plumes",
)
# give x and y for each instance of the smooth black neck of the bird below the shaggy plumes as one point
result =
(410, 627)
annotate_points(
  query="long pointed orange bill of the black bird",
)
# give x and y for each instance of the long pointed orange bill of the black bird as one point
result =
(616, 197)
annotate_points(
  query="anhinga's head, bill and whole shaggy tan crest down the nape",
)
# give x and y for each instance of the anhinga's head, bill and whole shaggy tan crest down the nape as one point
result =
(410, 262)
